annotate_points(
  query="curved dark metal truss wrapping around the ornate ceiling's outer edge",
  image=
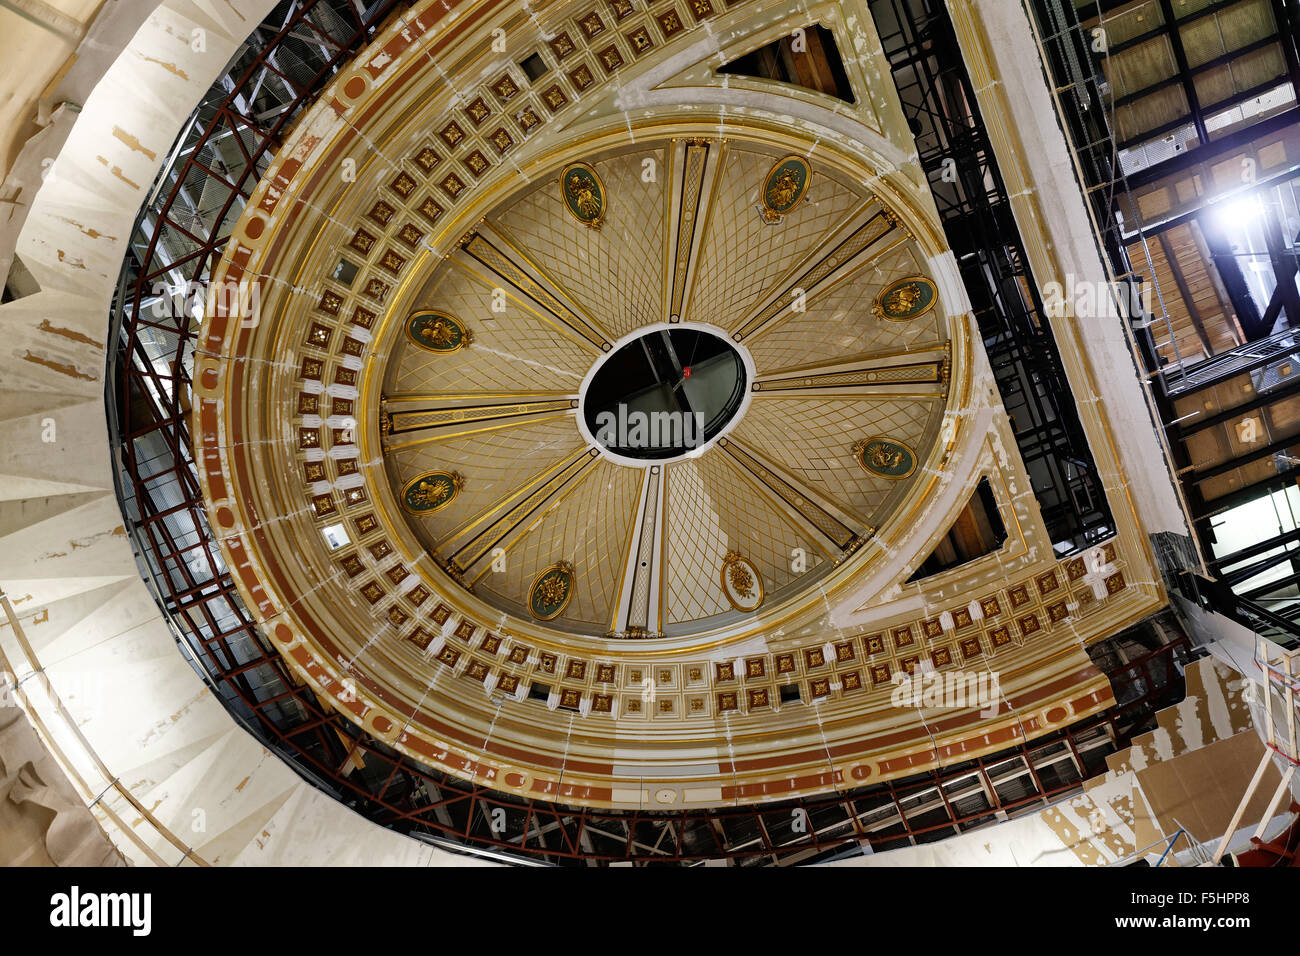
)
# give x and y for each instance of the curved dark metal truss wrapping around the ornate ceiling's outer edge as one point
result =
(179, 236)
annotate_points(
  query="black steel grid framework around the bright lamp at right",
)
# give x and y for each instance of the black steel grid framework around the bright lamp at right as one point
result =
(1085, 114)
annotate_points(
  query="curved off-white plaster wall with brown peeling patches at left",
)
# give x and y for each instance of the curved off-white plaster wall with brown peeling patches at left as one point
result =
(66, 561)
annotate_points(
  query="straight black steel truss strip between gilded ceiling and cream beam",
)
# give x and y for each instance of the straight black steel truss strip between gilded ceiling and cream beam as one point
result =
(941, 106)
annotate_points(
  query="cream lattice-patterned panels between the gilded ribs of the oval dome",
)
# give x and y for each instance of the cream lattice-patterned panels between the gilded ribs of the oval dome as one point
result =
(617, 276)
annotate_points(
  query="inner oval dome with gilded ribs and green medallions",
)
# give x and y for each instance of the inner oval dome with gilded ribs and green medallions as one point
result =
(502, 479)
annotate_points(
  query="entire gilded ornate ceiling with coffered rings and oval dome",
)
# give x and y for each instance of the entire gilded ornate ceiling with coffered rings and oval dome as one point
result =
(462, 258)
